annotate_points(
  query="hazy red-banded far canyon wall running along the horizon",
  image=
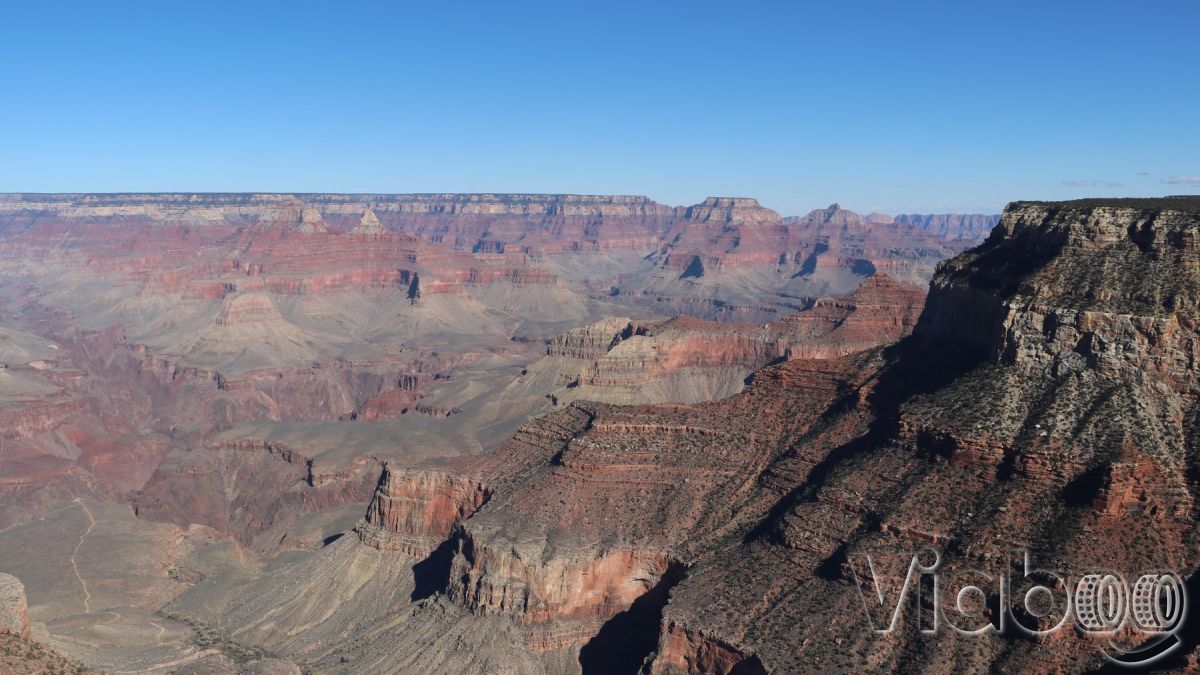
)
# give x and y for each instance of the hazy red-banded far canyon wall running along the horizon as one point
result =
(471, 247)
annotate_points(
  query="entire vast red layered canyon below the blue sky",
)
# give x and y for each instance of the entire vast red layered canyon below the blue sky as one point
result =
(559, 434)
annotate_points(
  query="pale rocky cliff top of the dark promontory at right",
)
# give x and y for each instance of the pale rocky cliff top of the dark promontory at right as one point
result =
(1121, 304)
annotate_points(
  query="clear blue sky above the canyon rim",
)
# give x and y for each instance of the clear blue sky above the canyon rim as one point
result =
(895, 106)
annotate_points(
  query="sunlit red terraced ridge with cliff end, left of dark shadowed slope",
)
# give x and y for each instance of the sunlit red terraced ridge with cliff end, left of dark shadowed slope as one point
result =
(592, 506)
